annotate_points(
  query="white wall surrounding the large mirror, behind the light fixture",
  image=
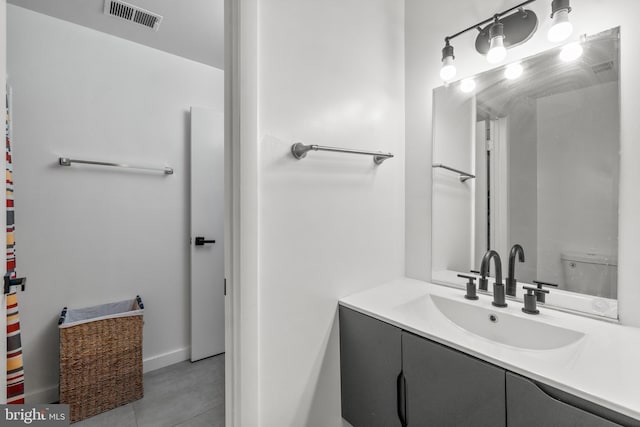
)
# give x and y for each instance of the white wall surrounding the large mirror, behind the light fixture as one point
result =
(426, 26)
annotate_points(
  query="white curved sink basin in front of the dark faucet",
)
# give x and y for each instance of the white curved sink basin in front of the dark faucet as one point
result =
(505, 328)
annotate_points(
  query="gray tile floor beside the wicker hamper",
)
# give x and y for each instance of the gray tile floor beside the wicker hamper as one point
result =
(182, 395)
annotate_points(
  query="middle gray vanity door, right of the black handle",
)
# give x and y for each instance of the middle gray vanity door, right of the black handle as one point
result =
(448, 388)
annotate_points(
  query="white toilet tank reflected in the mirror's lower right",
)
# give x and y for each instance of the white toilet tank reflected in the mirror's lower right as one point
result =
(590, 273)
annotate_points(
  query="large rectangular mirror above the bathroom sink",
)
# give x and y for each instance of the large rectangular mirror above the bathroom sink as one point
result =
(528, 154)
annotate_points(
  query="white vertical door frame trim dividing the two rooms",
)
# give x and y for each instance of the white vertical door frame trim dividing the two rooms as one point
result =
(241, 213)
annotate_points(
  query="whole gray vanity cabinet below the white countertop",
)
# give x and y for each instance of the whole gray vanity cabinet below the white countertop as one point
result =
(389, 375)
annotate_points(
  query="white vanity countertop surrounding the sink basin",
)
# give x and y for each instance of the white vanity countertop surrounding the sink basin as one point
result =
(603, 366)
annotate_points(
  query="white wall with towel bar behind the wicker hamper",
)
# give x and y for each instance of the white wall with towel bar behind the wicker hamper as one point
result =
(86, 235)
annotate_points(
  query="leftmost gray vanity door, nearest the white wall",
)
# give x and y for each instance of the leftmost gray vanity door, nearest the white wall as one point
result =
(370, 363)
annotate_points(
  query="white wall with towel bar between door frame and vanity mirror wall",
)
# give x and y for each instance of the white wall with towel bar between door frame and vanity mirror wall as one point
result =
(328, 73)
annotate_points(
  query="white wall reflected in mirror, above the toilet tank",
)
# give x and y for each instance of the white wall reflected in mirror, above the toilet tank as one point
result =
(577, 212)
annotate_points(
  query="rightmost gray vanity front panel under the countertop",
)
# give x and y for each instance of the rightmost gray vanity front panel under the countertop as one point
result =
(528, 405)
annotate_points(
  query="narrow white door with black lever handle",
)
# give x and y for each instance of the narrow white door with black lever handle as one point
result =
(207, 231)
